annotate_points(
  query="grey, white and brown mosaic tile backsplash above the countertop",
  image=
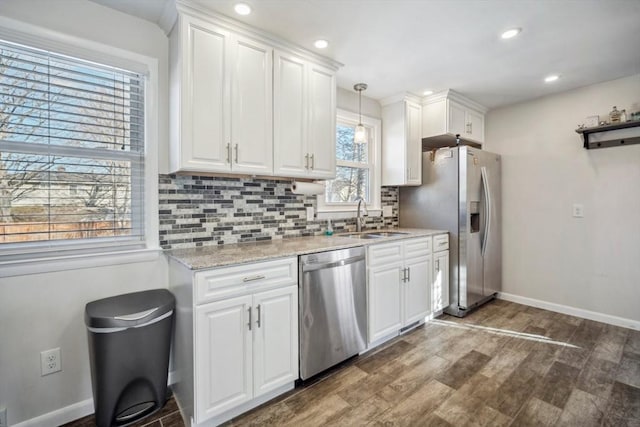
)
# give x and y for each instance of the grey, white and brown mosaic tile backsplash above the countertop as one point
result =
(203, 210)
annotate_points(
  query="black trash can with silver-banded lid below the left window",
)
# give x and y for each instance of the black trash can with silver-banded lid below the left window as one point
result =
(129, 341)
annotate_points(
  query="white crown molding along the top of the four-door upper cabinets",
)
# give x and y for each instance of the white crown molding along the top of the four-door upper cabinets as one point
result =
(197, 10)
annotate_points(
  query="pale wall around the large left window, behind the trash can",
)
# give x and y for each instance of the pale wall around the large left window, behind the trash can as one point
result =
(42, 311)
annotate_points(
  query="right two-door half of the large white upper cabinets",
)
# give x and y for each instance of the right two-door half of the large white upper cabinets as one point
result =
(304, 100)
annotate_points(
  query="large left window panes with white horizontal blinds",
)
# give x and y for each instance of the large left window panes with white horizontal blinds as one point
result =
(71, 152)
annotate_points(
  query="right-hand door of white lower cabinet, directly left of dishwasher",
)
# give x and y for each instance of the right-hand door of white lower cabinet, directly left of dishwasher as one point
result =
(275, 334)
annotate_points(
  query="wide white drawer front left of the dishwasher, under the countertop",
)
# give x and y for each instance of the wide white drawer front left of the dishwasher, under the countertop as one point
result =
(228, 281)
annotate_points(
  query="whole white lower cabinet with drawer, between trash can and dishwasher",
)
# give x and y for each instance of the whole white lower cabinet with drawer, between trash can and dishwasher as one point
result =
(236, 338)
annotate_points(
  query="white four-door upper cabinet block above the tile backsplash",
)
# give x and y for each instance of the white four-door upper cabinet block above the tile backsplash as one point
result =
(224, 88)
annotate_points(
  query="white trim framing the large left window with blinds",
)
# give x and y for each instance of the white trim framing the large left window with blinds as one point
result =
(37, 37)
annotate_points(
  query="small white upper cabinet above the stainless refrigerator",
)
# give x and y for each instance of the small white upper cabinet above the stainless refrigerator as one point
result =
(447, 113)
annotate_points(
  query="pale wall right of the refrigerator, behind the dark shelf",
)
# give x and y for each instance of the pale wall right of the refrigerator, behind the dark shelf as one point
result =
(590, 263)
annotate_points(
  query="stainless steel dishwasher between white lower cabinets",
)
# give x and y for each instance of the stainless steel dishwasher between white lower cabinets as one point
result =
(333, 308)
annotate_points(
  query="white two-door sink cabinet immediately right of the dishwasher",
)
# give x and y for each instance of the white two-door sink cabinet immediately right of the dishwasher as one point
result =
(399, 285)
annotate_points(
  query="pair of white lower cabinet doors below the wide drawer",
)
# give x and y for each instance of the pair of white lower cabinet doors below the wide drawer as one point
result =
(245, 347)
